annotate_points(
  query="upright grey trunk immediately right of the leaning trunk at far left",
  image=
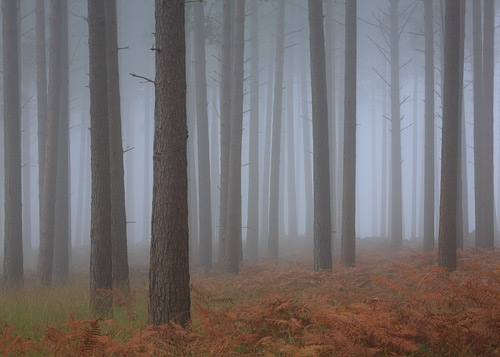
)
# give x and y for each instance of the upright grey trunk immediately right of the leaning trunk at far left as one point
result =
(62, 230)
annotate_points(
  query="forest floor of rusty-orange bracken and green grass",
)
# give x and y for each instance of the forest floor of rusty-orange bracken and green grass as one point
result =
(395, 303)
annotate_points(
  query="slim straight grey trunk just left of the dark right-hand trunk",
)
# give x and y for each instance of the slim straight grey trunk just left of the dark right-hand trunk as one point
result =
(429, 179)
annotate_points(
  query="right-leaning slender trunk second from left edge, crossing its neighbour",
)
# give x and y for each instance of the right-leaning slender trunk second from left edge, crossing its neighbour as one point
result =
(46, 251)
